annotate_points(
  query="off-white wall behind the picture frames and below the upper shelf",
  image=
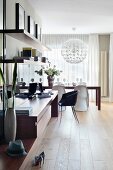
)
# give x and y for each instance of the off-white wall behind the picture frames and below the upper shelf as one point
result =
(14, 46)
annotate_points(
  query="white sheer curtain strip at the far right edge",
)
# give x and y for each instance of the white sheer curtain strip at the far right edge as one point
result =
(111, 69)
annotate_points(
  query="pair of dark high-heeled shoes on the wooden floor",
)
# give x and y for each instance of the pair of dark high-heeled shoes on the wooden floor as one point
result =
(38, 159)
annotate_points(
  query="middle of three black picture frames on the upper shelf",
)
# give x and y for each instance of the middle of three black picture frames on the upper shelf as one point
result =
(31, 26)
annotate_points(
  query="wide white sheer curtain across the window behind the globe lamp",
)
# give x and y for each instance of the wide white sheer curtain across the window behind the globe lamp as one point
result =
(70, 72)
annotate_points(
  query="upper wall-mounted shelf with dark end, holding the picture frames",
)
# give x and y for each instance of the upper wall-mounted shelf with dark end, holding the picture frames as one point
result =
(25, 37)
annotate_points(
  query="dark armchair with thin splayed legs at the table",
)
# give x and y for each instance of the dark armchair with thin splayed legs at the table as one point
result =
(69, 99)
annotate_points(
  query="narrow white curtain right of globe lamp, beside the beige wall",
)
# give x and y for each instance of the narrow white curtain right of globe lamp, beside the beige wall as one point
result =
(93, 62)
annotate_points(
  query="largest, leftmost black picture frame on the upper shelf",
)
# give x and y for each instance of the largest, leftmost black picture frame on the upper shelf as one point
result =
(20, 17)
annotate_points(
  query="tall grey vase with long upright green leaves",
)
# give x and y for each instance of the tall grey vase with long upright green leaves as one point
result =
(10, 116)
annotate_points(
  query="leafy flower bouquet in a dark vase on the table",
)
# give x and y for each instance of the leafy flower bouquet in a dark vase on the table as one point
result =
(51, 72)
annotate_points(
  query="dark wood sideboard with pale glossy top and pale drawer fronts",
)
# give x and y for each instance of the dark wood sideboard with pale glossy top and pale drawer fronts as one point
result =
(42, 110)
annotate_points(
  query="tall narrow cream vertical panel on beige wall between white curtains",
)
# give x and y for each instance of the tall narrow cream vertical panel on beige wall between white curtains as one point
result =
(104, 73)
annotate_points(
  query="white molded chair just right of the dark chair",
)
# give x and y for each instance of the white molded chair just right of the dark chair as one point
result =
(82, 103)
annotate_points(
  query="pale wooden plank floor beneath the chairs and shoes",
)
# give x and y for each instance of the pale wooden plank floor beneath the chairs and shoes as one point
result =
(84, 146)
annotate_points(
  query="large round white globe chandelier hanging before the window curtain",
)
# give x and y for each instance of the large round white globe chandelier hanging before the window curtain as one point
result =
(74, 51)
